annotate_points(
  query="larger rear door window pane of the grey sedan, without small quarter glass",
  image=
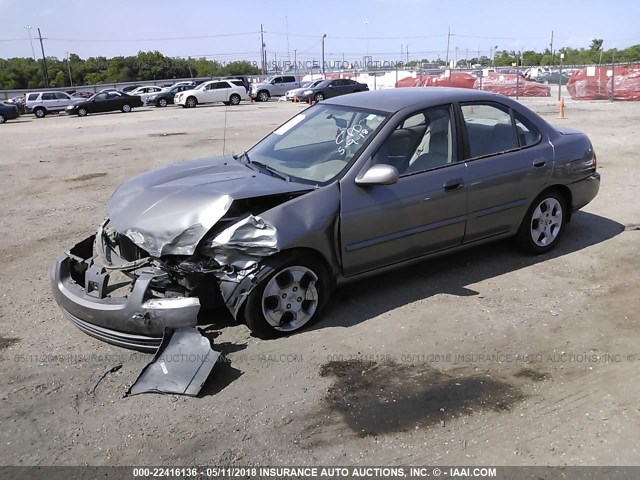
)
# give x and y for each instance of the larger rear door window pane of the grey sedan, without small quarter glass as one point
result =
(489, 130)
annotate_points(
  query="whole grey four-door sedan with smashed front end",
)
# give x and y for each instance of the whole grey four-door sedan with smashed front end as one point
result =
(346, 188)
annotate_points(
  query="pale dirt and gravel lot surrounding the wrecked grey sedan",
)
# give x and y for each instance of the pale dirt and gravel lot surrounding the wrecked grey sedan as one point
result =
(486, 357)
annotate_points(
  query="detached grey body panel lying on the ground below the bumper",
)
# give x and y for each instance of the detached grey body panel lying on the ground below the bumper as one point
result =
(181, 365)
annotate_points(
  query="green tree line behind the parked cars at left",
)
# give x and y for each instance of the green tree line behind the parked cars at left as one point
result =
(18, 73)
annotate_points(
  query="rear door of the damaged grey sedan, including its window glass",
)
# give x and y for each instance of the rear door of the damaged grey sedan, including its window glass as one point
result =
(508, 163)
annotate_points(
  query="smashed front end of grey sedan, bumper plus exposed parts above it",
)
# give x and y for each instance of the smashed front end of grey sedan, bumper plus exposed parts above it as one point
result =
(113, 290)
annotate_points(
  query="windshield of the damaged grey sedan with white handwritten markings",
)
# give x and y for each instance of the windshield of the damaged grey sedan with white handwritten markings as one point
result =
(318, 144)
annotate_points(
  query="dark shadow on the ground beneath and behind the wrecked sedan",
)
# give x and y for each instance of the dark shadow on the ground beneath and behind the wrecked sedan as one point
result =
(451, 274)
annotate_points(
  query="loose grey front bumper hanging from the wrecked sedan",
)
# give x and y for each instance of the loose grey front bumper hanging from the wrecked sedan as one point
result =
(138, 321)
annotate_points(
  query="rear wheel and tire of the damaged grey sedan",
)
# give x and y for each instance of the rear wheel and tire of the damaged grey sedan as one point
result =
(544, 223)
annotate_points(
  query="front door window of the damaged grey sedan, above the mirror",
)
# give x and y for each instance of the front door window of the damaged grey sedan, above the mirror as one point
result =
(422, 141)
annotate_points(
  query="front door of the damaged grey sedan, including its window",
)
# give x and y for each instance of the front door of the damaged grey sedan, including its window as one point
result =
(422, 213)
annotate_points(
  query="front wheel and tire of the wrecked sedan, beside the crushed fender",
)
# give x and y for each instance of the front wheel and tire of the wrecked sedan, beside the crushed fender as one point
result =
(302, 307)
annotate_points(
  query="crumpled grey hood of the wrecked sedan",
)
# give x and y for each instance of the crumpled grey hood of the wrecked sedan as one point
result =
(169, 210)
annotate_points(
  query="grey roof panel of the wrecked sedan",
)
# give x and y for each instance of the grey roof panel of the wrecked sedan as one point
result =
(395, 99)
